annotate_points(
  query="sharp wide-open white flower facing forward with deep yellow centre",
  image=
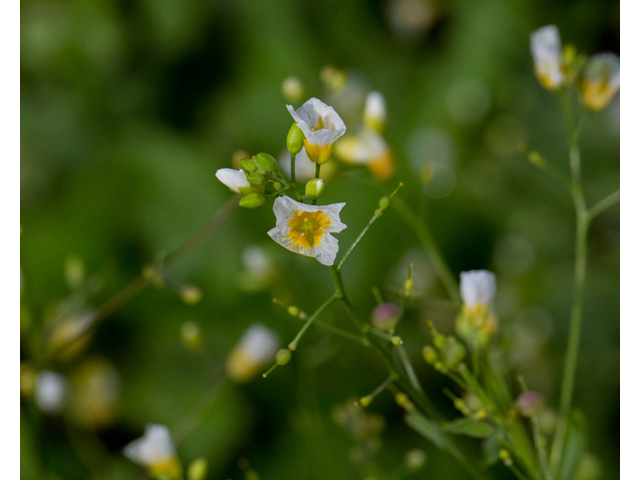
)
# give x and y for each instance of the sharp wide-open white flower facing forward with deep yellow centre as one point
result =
(306, 229)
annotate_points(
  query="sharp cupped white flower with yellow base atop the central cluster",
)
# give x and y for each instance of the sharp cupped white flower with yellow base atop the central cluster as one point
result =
(321, 126)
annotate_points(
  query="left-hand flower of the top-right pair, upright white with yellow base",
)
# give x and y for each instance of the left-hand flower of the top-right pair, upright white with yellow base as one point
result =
(546, 49)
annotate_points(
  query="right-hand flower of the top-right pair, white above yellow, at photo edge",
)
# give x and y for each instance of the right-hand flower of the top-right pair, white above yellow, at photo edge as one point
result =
(600, 80)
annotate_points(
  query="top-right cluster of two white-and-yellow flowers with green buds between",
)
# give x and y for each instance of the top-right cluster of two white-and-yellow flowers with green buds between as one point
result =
(598, 77)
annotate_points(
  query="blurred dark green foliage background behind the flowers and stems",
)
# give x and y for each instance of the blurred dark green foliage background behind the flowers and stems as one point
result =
(129, 107)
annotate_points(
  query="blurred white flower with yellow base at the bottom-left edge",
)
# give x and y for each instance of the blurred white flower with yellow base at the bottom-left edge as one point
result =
(156, 452)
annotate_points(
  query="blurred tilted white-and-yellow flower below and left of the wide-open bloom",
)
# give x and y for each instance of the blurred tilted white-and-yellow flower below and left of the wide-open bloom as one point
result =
(255, 349)
